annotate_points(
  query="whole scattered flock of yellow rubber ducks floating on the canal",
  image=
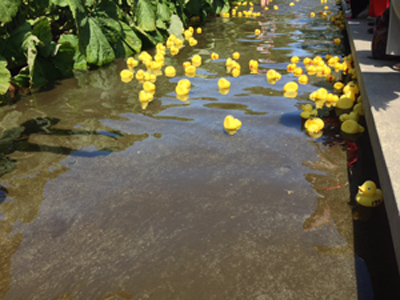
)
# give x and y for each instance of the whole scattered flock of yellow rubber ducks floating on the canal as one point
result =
(345, 100)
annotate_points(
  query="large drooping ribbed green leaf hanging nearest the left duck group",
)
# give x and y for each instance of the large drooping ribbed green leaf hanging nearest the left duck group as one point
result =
(93, 43)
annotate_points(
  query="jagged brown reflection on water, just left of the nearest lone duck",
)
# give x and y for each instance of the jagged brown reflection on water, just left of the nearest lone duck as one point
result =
(329, 179)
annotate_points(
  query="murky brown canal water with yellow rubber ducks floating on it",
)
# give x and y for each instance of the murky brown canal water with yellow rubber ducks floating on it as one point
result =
(101, 199)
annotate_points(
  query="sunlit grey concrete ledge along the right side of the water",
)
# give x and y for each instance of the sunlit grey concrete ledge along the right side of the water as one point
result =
(380, 90)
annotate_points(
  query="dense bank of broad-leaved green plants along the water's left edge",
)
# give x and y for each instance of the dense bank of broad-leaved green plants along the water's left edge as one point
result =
(43, 40)
